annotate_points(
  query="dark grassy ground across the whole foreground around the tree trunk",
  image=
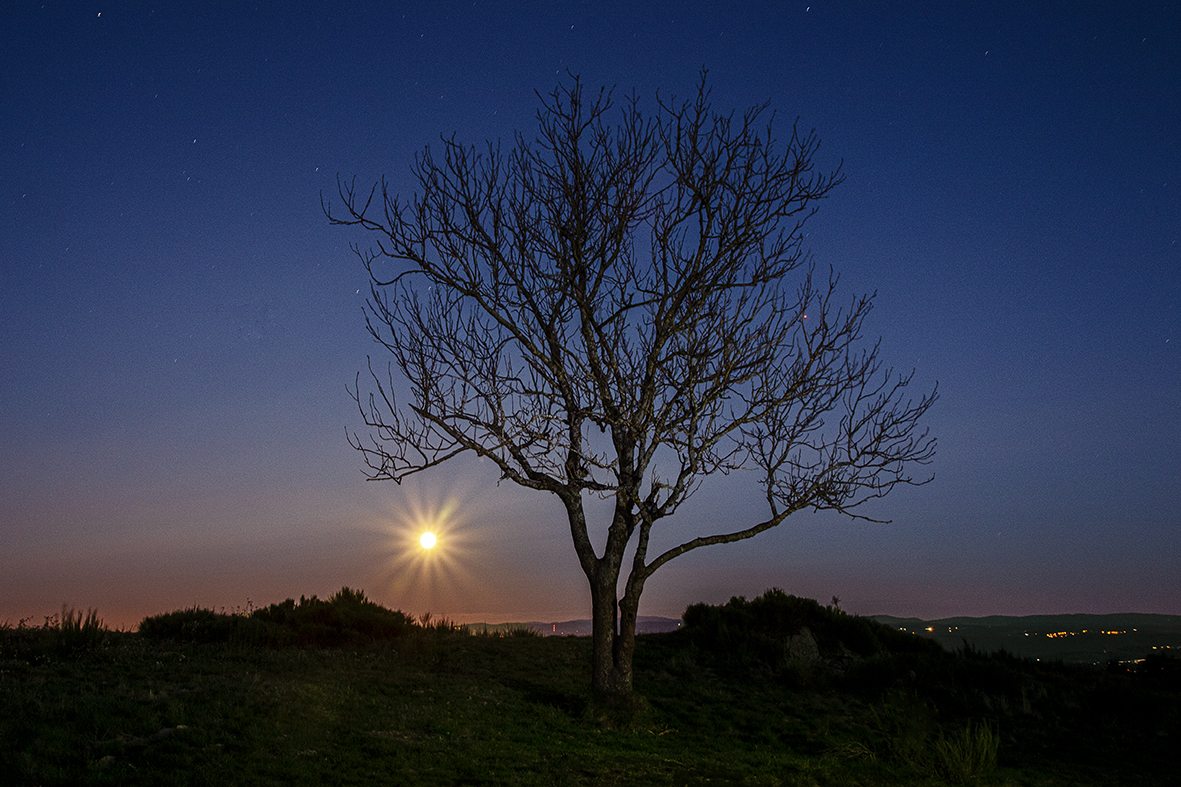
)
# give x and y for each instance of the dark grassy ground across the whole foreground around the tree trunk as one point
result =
(436, 707)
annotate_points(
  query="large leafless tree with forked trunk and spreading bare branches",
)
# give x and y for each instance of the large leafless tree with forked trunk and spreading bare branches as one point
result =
(624, 310)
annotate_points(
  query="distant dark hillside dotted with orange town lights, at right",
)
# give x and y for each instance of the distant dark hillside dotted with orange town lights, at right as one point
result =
(1072, 639)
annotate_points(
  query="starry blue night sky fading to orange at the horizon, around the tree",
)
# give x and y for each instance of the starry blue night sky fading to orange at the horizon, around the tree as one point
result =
(179, 322)
